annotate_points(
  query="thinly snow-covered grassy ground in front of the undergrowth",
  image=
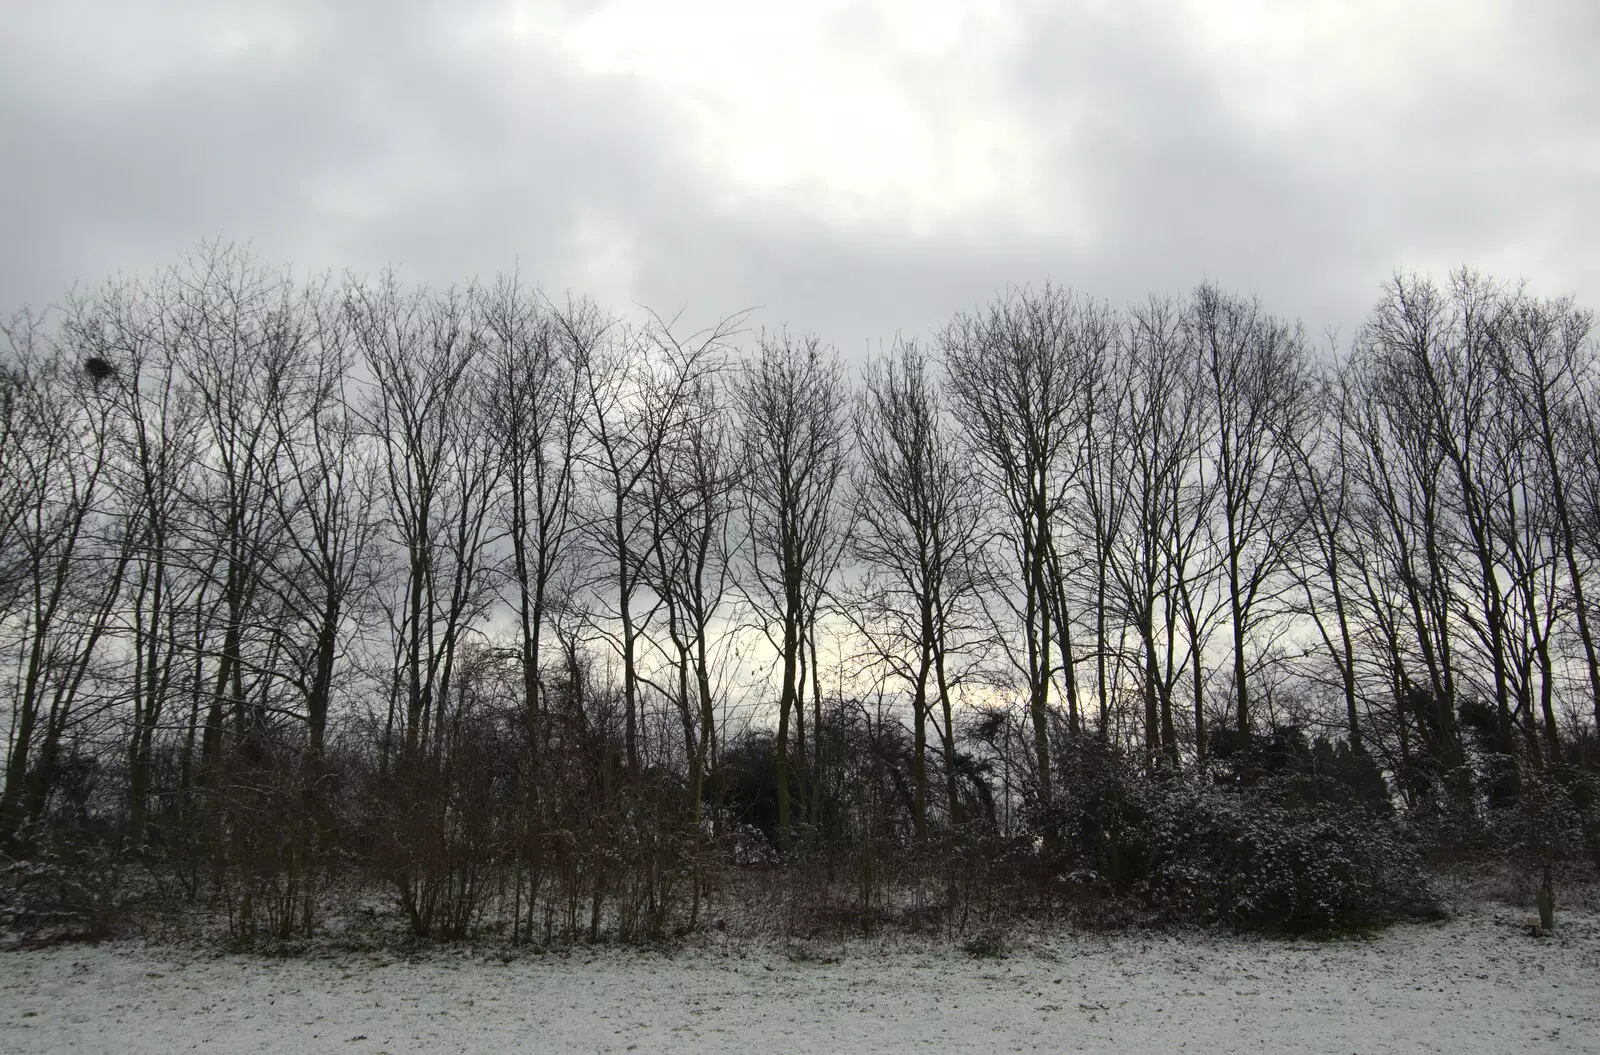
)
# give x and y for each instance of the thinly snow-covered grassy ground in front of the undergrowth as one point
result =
(1474, 984)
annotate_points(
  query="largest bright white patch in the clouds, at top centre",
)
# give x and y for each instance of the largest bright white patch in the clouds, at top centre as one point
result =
(860, 116)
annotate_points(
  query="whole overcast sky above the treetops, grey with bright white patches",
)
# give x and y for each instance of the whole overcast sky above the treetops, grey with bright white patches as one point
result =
(849, 169)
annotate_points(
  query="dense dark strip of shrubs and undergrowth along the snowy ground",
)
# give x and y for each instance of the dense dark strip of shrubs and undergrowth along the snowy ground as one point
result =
(1276, 835)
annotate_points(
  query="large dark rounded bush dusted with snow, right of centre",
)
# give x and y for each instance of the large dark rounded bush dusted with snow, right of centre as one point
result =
(1281, 849)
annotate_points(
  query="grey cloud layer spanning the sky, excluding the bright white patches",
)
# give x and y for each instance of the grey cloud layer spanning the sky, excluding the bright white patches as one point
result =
(391, 134)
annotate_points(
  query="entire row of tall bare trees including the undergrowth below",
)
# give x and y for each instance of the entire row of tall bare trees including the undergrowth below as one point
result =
(558, 625)
